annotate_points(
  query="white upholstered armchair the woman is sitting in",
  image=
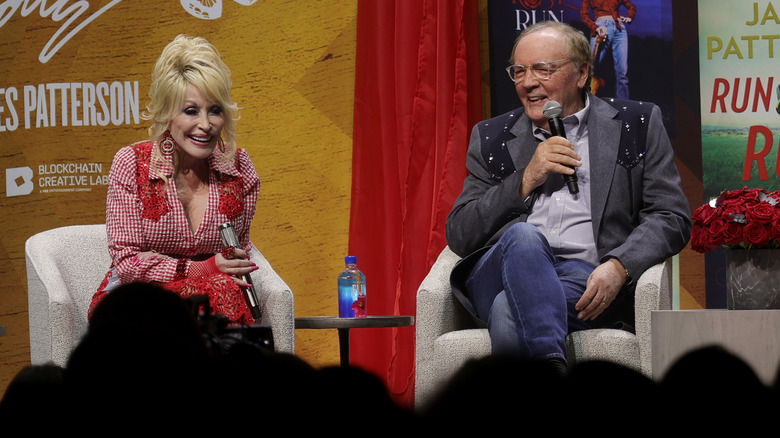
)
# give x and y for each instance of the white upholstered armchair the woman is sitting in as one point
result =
(64, 268)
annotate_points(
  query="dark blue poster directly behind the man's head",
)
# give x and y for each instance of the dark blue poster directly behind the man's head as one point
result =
(634, 62)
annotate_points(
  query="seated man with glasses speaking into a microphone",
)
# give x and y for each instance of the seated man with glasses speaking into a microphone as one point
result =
(539, 261)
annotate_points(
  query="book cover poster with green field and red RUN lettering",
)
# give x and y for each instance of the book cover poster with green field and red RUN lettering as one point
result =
(740, 98)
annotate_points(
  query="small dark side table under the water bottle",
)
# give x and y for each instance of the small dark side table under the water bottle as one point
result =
(343, 325)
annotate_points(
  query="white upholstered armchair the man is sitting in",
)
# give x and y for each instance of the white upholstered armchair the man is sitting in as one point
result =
(446, 336)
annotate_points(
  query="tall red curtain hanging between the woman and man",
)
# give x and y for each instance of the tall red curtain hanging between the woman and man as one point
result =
(417, 95)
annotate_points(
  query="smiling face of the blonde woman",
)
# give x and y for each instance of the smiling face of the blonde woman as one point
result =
(197, 127)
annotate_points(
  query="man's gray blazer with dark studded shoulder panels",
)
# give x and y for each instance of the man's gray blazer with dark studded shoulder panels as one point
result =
(640, 213)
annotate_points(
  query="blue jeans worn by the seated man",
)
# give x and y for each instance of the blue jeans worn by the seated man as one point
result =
(527, 294)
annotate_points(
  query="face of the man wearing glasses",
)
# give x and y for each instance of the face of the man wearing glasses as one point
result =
(566, 81)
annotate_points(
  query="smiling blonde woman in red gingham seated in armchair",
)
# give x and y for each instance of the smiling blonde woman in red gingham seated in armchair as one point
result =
(168, 195)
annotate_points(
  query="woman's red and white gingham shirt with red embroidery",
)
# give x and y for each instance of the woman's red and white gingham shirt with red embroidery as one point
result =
(130, 233)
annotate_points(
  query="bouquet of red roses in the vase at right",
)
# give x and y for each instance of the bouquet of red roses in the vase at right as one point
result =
(745, 218)
